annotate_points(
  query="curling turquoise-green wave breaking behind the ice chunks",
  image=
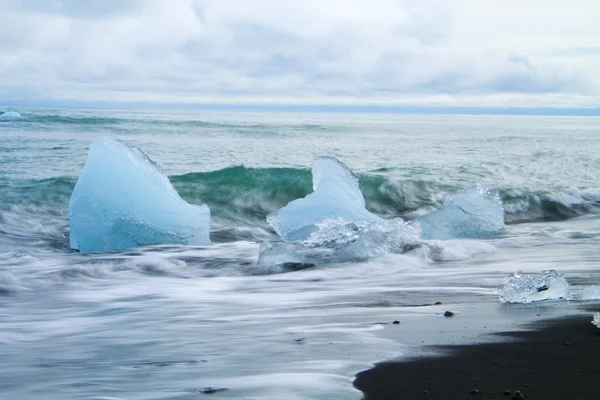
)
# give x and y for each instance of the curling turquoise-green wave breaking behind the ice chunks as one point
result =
(245, 196)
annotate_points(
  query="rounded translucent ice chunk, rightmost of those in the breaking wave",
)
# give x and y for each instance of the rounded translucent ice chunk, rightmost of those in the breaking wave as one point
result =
(476, 213)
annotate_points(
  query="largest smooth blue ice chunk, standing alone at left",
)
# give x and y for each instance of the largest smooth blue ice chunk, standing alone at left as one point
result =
(123, 199)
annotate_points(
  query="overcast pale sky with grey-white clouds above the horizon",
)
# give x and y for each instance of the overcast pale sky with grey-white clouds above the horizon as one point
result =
(392, 52)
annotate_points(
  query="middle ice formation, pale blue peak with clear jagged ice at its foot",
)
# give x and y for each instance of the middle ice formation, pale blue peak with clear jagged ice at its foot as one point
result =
(332, 224)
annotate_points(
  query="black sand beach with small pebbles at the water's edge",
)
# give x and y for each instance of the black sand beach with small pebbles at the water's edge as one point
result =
(560, 359)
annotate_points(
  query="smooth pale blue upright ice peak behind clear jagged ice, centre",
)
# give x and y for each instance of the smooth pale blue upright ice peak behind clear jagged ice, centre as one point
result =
(336, 195)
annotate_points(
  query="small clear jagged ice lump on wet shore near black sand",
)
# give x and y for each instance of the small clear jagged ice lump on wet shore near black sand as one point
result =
(519, 288)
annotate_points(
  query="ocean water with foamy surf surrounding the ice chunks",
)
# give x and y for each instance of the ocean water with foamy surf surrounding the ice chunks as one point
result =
(168, 322)
